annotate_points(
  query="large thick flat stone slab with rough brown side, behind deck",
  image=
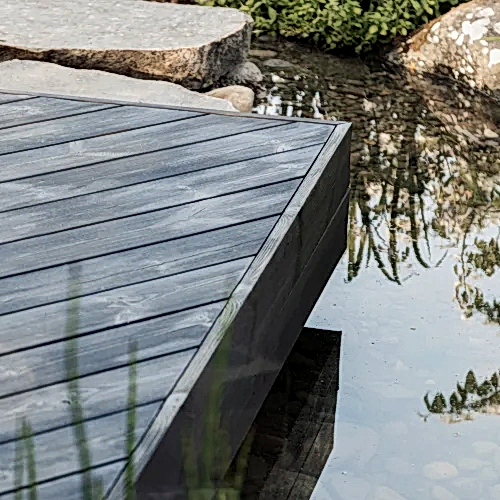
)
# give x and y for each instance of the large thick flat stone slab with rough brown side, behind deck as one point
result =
(190, 45)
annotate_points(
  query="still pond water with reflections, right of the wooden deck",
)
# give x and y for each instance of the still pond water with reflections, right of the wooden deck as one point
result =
(416, 296)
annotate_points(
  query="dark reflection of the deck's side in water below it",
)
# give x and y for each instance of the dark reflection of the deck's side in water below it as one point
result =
(292, 435)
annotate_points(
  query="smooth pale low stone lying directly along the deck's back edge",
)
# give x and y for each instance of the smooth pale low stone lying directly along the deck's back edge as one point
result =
(47, 78)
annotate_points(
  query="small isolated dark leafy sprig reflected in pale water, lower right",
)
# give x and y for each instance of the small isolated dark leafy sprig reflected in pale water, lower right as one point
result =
(470, 396)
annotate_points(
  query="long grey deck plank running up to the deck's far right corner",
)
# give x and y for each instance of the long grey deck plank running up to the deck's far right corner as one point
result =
(151, 166)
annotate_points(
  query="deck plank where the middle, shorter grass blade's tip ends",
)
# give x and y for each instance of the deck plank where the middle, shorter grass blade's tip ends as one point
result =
(107, 349)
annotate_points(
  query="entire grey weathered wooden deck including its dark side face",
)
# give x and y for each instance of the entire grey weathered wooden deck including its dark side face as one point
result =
(157, 265)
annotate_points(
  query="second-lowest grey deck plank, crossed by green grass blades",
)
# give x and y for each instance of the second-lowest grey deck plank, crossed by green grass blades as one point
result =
(56, 453)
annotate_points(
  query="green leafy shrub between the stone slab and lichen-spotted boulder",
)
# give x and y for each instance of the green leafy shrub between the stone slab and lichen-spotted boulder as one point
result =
(359, 24)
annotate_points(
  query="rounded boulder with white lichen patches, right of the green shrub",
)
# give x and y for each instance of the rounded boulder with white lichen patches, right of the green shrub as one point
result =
(463, 43)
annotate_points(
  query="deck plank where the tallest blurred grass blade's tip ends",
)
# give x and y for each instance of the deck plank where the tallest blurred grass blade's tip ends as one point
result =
(160, 260)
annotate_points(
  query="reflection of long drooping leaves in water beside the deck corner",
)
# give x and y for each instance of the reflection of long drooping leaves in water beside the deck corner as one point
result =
(388, 215)
